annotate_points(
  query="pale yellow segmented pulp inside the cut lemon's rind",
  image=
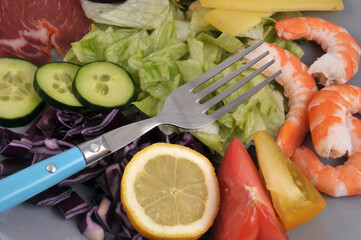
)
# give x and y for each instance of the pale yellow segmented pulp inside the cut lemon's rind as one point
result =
(171, 190)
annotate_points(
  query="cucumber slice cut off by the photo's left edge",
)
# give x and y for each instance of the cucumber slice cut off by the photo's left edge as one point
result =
(19, 103)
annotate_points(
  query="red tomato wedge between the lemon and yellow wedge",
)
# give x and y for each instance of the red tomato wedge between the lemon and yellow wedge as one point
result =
(246, 210)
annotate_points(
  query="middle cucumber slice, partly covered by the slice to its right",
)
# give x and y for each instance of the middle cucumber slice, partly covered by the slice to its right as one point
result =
(53, 82)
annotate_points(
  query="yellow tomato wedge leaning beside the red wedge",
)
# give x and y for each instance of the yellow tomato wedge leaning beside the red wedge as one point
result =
(294, 197)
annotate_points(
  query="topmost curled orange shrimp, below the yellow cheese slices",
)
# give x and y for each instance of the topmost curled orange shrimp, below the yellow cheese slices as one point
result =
(341, 61)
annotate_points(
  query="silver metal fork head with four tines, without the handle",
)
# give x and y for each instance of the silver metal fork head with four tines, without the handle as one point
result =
(183, 108)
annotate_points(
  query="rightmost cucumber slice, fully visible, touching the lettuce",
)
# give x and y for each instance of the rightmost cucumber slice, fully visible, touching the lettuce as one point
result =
(104, 85)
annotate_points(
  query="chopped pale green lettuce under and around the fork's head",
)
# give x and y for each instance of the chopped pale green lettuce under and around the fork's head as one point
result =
(180, 48)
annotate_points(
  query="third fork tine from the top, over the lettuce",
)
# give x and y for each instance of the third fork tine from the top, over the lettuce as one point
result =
(216, 99)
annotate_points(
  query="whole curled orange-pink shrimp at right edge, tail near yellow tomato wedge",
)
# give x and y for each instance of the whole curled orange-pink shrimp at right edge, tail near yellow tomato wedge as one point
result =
(335, 132)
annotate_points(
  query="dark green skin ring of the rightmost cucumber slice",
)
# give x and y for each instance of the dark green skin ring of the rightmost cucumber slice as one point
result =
(102, 108)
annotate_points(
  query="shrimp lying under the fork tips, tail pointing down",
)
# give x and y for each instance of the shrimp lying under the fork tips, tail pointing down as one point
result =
(298, 86)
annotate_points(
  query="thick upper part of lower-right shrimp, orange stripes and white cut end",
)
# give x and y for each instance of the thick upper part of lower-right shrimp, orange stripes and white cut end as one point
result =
(330, 114)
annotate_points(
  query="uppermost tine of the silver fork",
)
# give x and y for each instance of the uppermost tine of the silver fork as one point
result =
(220, 67)
